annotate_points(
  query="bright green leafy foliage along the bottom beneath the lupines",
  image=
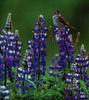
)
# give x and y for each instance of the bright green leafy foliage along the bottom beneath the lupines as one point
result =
(50, 90)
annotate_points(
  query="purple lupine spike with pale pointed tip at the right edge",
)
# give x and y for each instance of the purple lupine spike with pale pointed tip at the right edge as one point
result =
(82, 63)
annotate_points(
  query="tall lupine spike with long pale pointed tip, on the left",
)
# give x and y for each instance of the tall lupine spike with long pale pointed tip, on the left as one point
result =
(8, 48)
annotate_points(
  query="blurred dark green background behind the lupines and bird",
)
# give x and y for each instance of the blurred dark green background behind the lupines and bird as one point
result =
(25, 13)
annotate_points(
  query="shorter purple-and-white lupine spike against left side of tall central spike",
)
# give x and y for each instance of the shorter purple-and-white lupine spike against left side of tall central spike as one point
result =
(28, 62)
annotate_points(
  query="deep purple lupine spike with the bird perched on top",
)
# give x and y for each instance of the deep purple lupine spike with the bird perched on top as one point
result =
(64, 41)
